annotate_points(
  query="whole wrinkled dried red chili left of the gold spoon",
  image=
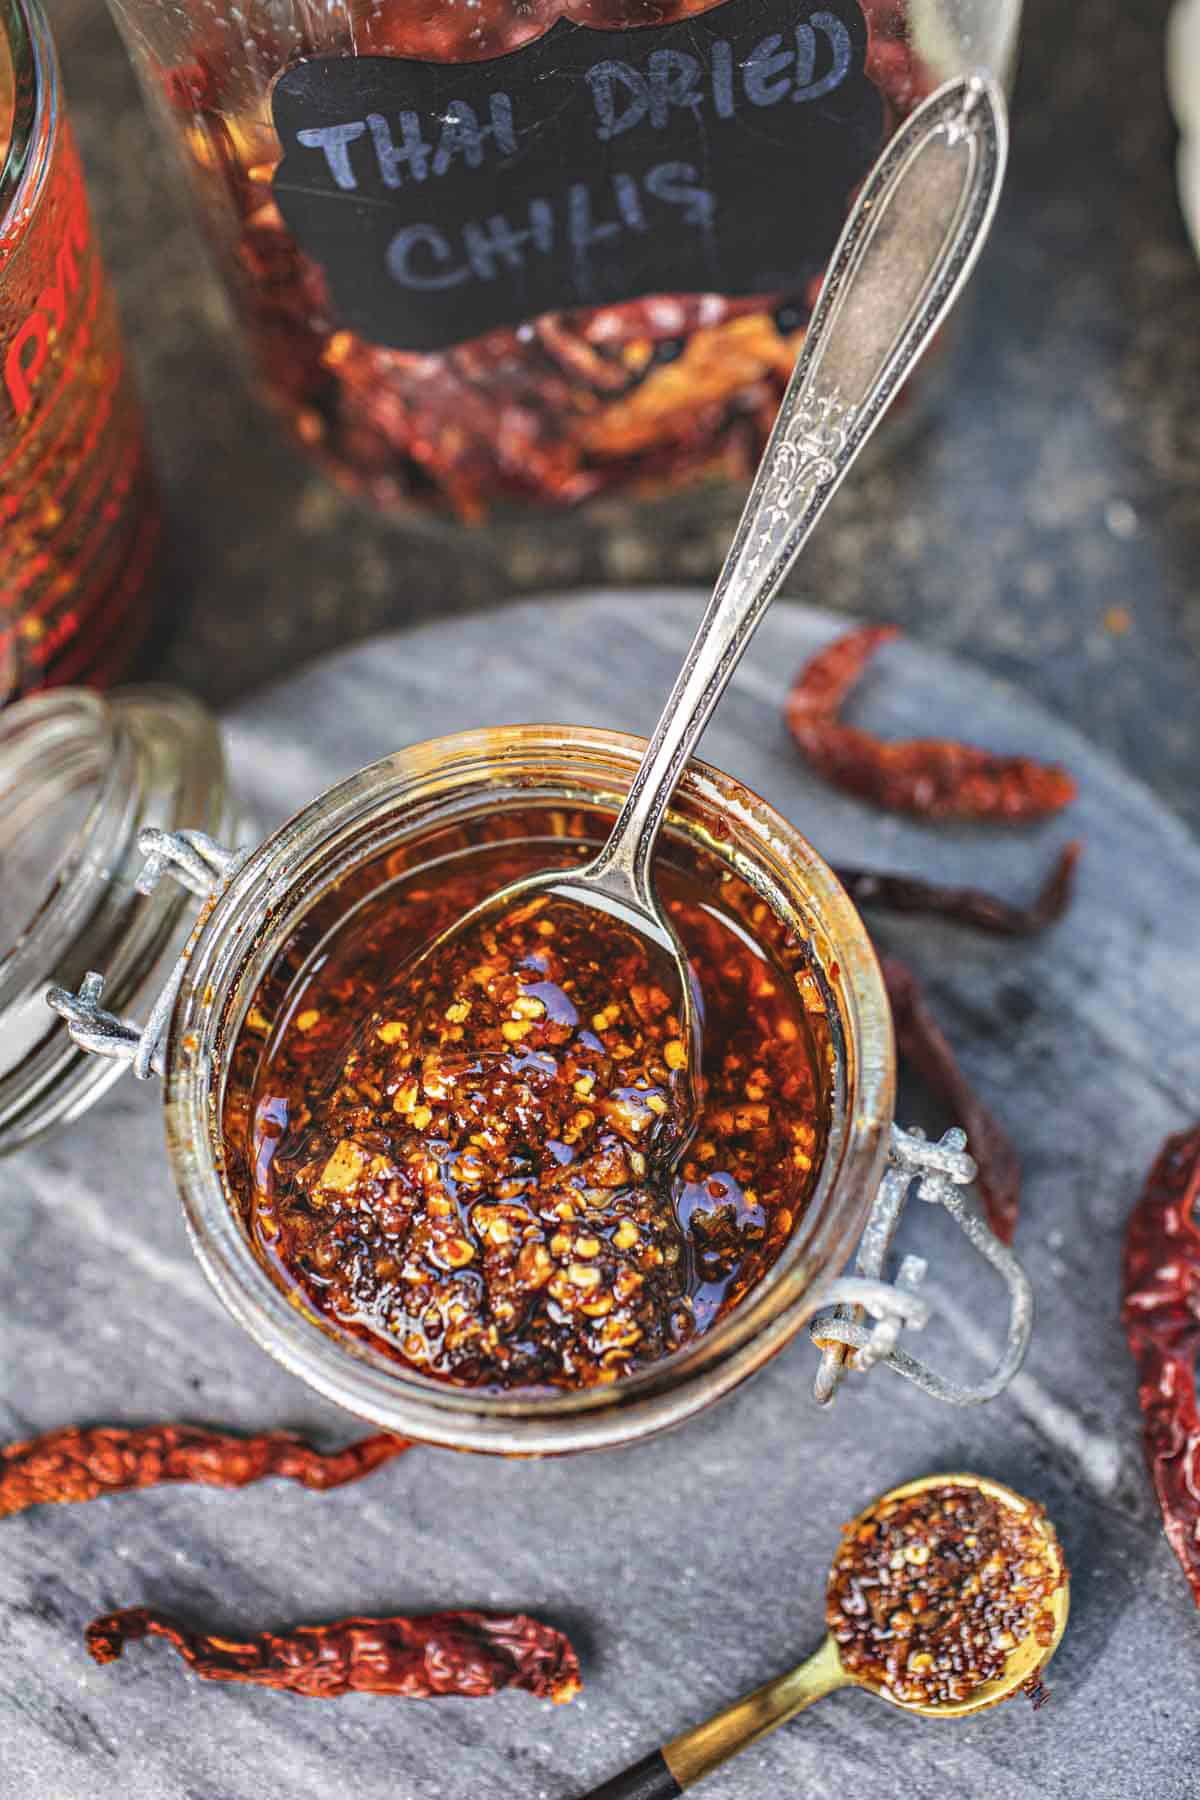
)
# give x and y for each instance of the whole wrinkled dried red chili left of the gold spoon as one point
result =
(420, 1659)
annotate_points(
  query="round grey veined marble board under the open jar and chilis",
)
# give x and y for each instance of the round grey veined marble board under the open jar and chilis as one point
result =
(692, 1567)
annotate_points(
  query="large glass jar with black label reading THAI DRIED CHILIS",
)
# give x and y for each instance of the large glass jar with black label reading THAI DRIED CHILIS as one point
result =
(496, 255)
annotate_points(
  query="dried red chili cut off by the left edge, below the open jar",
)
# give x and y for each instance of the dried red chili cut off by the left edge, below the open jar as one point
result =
(82, 1464)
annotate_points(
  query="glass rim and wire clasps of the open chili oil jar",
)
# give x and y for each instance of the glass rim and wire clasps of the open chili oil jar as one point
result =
(345, 847)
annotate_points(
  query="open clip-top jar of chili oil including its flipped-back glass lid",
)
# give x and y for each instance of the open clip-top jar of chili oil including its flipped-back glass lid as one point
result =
(656, 1290)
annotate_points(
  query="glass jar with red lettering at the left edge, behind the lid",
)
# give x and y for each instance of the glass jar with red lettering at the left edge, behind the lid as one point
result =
(78, 507)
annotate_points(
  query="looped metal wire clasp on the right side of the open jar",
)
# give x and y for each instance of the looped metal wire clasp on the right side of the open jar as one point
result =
(942, 1174)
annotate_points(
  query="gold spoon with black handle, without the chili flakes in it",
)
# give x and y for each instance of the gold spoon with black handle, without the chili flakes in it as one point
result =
(695, 1754)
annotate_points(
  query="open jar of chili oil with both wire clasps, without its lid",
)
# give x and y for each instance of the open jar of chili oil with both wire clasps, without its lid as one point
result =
(283, 984)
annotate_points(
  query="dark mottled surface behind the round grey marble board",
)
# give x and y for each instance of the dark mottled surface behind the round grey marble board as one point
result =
(1046, 525)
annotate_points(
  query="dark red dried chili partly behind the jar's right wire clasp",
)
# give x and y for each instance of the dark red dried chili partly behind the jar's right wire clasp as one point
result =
(924, 1045)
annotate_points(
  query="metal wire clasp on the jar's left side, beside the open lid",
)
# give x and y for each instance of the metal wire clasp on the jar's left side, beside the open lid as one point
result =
(206, 868)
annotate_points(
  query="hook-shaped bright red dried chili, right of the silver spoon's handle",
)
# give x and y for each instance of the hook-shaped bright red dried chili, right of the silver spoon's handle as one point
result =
(929, 777)
